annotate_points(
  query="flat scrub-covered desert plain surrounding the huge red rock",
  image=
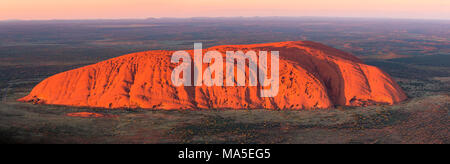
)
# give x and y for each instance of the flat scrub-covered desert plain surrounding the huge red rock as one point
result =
(32, 51)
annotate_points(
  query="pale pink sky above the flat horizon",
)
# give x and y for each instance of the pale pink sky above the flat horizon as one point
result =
(115, 9)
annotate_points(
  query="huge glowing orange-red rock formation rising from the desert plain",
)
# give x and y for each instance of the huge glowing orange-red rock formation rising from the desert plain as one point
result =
(312, 75)
